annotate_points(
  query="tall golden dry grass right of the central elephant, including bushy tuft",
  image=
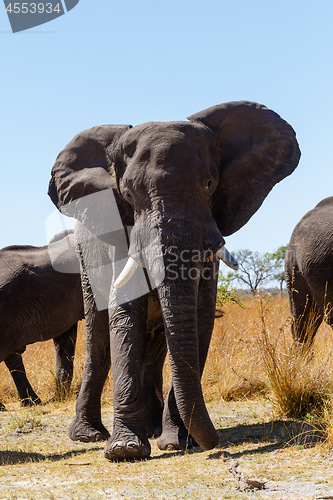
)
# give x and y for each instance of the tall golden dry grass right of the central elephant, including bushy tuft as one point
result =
(253, 352)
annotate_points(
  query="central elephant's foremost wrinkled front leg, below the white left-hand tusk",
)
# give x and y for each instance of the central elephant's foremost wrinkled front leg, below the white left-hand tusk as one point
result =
(127, 340)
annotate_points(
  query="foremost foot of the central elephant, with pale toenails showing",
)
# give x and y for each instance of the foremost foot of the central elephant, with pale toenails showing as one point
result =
(126, 445)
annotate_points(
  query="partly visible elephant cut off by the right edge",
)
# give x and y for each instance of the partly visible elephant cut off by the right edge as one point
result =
(309, 272)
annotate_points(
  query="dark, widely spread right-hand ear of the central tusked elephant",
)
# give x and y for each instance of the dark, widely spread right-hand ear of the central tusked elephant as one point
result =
(255, 149)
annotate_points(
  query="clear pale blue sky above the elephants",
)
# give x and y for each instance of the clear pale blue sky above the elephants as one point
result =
(132, 62)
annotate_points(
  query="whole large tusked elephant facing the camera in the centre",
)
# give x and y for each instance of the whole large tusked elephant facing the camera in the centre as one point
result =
(193, 182)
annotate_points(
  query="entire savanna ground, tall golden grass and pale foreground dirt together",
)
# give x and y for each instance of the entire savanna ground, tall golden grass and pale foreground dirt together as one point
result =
(254, 384)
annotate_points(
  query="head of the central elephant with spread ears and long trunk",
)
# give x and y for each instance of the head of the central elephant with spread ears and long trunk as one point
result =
(192, 182)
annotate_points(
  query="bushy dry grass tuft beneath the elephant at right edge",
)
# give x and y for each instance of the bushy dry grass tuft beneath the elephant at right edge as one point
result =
(299, 377)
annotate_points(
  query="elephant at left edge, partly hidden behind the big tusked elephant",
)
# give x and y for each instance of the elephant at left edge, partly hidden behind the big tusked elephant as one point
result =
(38, 303)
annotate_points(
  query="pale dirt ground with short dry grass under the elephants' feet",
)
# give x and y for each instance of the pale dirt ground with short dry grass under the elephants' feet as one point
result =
(38, 460)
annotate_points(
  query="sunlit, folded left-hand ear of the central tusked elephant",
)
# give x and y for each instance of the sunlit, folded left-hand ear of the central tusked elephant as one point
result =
(81, 169)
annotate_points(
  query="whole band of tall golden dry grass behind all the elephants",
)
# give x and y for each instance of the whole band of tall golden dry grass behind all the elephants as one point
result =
(252, 352)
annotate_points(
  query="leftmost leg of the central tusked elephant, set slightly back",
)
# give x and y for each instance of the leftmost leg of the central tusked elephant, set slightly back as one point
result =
(87, 425)
